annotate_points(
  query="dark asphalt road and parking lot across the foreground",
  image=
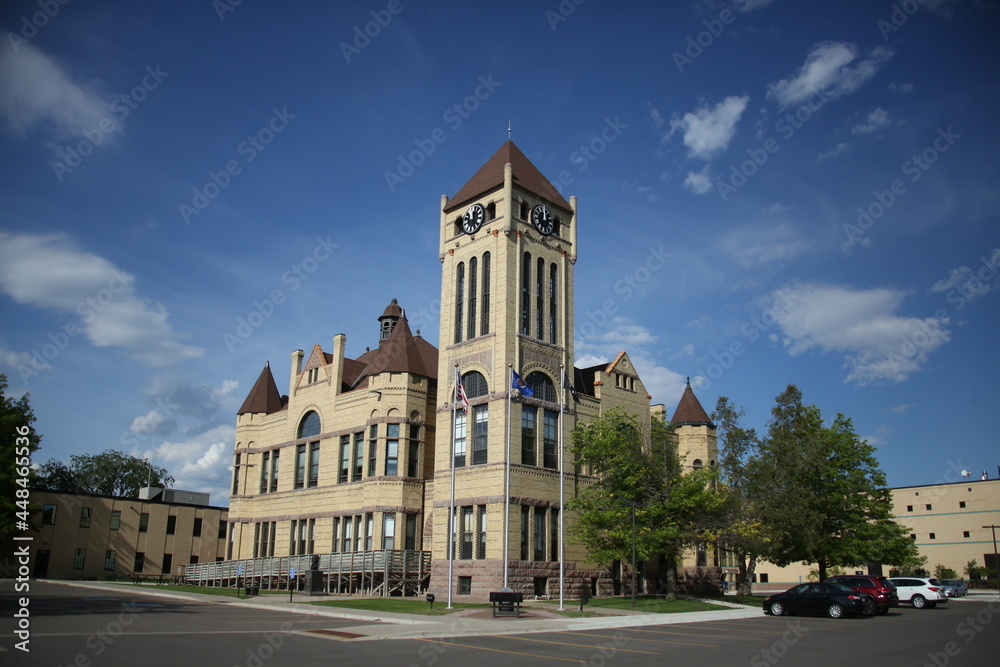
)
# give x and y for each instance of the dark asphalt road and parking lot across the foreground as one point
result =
(75, 626)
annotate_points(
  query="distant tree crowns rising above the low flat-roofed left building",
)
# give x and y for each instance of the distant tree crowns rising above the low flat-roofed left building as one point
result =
(110, 473)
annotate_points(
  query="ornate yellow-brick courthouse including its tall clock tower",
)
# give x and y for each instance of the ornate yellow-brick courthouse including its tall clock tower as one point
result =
(357, 457)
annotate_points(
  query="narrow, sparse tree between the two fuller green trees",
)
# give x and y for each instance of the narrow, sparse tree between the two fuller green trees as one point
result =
(743, 533)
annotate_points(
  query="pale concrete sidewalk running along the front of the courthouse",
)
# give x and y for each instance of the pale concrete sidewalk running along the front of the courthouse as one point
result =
(463, 623)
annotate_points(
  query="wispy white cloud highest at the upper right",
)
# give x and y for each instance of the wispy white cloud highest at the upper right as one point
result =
(826, 72)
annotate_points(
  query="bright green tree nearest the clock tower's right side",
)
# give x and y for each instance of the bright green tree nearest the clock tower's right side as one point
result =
(640, 472)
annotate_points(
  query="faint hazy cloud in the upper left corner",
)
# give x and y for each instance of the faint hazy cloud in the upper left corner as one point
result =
(36, 91)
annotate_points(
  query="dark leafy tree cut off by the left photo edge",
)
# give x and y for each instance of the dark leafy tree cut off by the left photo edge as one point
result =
(18, 441)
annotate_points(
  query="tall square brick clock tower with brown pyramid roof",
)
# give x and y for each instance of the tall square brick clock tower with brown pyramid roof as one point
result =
(507, 251)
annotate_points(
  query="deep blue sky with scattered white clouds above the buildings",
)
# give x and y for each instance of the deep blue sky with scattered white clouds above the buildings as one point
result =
(770, 192)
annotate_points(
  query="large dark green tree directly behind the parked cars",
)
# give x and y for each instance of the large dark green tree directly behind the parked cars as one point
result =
(827, 501)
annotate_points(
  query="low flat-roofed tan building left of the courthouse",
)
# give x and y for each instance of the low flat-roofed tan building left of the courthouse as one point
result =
(103, 537)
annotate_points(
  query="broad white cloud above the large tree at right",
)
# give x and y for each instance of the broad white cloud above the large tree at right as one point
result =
(878, 345)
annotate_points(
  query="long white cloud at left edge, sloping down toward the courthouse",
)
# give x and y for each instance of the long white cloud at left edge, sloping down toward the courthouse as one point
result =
(49, 272)
